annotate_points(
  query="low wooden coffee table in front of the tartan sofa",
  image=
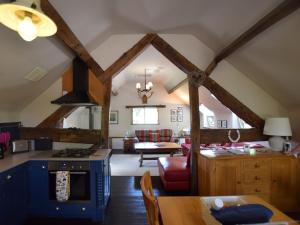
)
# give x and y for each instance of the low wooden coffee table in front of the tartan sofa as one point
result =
(155, 148)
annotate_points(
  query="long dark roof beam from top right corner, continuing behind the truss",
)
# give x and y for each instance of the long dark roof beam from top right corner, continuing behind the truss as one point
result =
(281, 11)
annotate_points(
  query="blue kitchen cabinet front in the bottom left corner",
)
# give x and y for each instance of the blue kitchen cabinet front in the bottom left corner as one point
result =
(14, 195)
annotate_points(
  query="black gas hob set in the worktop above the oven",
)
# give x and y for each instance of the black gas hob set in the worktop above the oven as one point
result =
(74, 153)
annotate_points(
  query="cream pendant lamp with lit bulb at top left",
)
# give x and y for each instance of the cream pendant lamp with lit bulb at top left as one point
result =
(27, 18)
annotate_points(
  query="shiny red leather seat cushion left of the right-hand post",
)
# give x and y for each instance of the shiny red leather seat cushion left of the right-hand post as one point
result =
(174, 168)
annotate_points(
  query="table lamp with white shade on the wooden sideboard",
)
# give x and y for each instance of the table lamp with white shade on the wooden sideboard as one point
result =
(278, 127)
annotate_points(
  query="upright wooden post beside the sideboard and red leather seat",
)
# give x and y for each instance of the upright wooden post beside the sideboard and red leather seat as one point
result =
(195, 134)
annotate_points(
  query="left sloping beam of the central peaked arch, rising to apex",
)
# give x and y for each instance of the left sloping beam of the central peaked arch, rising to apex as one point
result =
(128, 56)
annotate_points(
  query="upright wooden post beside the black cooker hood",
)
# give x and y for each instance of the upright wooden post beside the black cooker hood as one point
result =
(104, 141)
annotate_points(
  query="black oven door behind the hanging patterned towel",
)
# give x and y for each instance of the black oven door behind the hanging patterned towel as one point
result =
(79, 186)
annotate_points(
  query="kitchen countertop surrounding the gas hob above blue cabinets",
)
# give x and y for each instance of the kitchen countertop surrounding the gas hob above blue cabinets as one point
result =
(11, 161)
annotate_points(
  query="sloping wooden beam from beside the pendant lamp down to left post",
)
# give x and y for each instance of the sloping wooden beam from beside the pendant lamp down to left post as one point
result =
(65, 34)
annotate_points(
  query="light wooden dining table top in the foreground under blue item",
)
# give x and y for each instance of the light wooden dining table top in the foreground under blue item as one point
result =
(195, 210)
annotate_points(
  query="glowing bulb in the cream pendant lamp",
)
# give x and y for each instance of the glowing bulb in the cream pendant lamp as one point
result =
(27, 29)
